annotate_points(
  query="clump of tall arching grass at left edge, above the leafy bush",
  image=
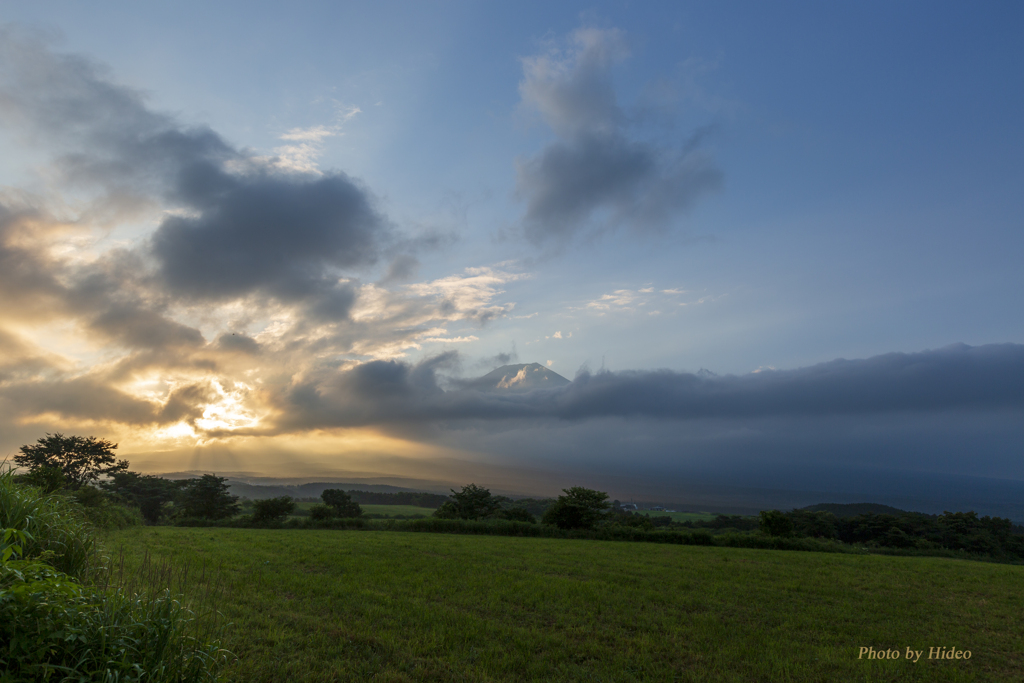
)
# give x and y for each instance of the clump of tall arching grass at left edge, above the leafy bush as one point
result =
(54, 529)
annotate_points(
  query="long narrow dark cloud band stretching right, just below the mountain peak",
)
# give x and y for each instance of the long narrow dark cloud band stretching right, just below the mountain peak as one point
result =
(956, 378)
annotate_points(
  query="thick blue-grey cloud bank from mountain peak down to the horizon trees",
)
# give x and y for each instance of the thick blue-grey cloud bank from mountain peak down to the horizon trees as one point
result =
(899, 429)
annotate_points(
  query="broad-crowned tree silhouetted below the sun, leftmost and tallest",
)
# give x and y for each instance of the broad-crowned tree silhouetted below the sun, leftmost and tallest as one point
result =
(80, 459)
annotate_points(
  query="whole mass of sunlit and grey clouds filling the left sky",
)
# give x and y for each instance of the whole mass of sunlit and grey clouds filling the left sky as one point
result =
(239, 277)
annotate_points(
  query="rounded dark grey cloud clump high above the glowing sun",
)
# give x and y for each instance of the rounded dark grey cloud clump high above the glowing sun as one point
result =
(287, 237)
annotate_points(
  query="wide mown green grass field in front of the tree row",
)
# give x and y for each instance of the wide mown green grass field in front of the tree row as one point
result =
(327, 606)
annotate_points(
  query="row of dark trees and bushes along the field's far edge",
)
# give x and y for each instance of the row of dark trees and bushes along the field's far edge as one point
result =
(88, 469)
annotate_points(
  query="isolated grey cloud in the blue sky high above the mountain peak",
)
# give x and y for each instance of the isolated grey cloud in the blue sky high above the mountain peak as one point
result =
(598, 175)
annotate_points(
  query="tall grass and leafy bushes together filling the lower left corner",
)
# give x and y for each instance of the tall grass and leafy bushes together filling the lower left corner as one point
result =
(56, 626)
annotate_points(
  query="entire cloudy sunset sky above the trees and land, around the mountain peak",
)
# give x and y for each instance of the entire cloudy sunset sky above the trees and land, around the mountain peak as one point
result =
(776, 248)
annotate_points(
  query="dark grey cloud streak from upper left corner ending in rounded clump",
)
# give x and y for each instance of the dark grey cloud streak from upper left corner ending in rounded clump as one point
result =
(244, 225)
